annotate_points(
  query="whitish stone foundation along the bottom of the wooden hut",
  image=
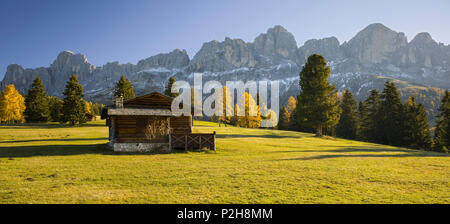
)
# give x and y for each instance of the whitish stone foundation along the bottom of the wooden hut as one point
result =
(141, 147)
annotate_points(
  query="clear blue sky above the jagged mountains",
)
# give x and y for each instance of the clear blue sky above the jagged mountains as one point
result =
(32, 32)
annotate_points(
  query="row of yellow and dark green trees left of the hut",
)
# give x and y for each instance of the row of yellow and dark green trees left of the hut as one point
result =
(37, 106)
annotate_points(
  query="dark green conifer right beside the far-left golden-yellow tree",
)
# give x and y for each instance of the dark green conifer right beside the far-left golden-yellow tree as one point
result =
(36, 102)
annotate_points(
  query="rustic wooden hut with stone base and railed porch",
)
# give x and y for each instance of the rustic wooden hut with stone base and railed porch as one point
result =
(146, 124)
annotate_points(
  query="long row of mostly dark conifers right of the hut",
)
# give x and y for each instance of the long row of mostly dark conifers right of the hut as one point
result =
(381, 118)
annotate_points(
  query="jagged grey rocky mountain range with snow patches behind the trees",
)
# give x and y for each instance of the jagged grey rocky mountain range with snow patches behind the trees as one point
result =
(420, 67)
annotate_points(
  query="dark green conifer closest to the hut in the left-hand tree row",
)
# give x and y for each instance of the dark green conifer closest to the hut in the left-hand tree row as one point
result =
(74, 107)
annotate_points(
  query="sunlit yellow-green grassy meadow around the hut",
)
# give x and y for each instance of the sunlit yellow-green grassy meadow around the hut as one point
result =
(58, 164)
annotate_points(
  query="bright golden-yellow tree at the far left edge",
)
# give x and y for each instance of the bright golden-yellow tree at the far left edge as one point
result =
(12, 105)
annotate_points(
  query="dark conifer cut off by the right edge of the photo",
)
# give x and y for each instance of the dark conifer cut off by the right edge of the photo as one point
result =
(441, 140)
